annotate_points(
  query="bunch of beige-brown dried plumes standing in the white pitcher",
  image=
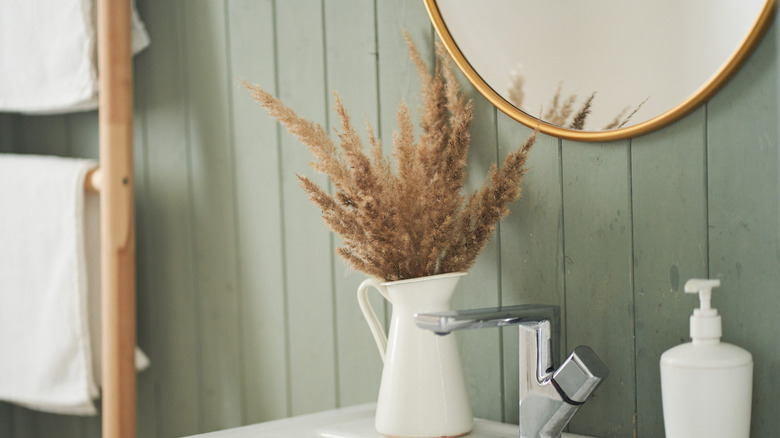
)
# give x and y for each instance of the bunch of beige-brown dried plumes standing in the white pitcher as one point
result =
(409, 220)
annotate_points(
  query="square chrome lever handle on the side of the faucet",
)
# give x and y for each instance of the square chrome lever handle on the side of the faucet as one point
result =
(579, 375)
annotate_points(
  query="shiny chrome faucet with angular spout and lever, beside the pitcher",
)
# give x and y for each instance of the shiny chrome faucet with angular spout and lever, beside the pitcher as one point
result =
(549, 397)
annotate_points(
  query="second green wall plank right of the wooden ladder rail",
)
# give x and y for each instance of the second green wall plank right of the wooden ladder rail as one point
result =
(213, 212)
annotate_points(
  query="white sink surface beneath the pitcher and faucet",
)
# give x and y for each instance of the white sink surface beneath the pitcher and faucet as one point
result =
(351, 422)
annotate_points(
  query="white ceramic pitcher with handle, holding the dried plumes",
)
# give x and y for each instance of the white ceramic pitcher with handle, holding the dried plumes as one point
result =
(423, 393)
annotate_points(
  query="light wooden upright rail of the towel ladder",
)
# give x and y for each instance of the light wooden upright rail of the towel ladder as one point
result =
(117, 230)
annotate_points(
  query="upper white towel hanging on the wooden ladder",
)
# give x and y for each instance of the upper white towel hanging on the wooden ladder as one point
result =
(48, 54)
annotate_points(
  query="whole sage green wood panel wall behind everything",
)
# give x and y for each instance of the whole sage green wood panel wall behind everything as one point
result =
(248, 315)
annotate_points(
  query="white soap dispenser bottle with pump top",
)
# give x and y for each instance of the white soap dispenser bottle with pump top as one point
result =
(706, 384)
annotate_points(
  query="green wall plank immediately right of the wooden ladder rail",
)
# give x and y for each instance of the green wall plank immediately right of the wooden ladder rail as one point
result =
(167, 295)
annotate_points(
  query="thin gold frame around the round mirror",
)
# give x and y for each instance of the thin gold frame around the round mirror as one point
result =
(704, 93)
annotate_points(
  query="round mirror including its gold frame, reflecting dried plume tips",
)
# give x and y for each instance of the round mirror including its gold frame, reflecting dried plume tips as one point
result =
(599, 70)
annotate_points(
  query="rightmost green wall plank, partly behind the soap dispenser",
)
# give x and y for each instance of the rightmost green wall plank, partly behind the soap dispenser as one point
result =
(744, 220)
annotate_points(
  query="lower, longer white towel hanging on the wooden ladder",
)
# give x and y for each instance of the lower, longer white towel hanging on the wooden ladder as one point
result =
(49, 284)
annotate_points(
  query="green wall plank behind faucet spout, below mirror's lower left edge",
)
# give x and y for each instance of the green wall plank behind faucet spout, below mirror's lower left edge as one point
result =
(531, 244)
